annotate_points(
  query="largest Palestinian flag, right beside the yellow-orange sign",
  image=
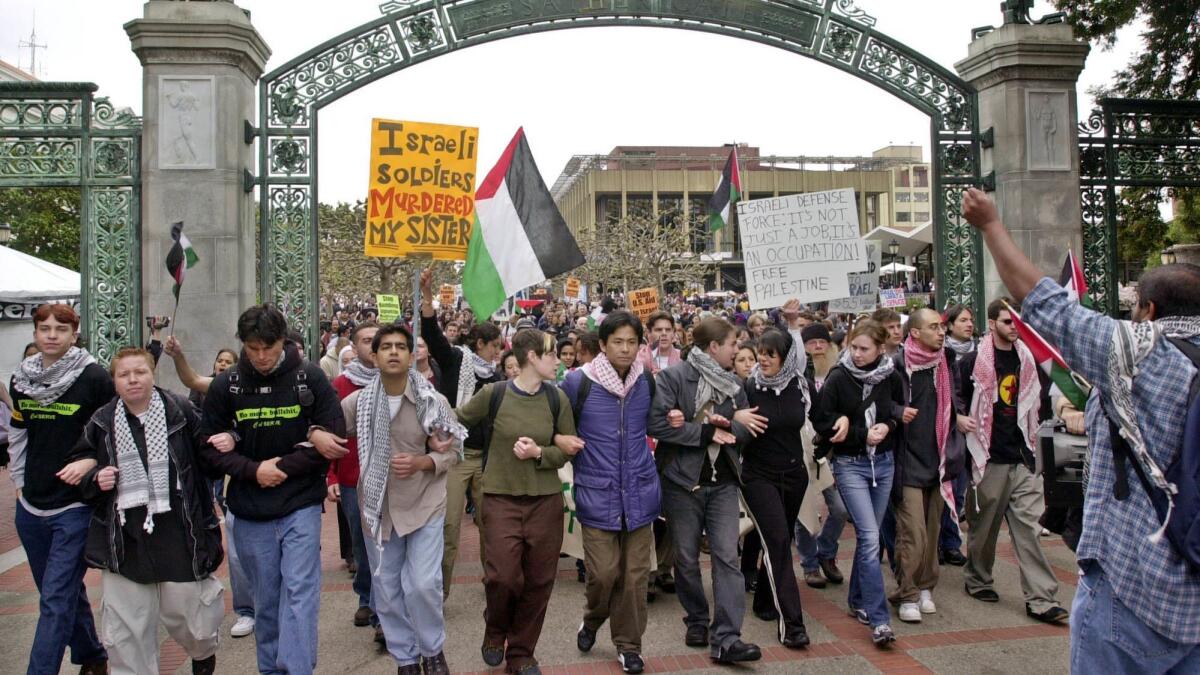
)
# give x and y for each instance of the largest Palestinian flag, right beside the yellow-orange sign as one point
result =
(519, 238)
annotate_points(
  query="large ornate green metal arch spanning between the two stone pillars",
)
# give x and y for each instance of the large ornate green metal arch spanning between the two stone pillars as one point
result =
(832, 32)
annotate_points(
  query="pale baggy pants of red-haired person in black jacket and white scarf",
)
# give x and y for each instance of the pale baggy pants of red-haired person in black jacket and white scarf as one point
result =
(191, 613)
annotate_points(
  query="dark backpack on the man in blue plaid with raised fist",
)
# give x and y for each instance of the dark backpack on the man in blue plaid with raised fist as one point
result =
(1181, 521)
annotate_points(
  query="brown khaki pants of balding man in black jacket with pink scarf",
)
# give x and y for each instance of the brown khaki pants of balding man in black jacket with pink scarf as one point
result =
(919, 524)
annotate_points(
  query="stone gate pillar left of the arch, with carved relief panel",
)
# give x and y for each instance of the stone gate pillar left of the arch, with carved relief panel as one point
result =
(201, 67)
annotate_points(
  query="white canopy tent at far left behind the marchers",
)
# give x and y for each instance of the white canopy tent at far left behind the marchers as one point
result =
(27, 283)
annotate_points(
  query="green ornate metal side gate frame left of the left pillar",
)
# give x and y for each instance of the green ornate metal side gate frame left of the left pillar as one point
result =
(61, 135)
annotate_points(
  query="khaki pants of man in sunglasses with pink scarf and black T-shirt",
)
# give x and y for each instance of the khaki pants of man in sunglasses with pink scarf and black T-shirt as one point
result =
(1010, 492)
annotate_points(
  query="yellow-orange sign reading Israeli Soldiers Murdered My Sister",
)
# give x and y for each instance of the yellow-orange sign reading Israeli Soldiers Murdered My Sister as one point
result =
(422, 193)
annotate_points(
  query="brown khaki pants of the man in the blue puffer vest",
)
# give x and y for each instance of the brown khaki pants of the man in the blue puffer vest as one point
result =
(619, 566)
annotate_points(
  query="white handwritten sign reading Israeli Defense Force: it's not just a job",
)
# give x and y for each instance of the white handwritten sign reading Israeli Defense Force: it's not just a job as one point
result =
(801, 247)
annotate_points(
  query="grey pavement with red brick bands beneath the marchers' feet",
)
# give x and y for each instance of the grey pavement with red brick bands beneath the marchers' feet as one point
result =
(967, 637)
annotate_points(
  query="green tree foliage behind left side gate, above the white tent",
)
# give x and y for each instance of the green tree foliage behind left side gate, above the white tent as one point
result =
(45, 223)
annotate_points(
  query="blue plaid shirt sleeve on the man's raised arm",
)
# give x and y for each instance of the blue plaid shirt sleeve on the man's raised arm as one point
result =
(1083, 336)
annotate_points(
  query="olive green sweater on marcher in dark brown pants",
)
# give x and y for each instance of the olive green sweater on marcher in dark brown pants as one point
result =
(521, 415)
